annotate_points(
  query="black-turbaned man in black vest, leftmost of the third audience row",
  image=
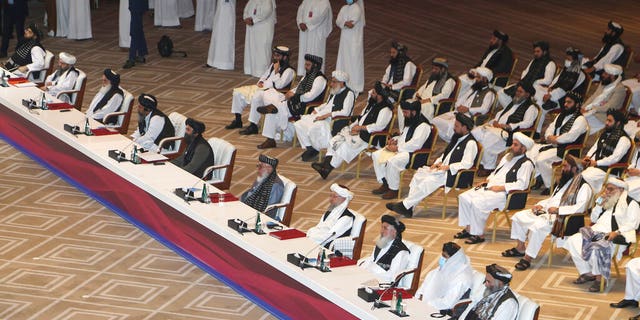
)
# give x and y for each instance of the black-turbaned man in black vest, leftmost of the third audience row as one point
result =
(498, 58)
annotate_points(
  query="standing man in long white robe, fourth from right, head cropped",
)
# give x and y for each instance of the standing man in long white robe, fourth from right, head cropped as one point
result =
(222, 48)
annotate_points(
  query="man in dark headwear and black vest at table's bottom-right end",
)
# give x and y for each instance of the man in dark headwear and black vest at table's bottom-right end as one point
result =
(499, 302)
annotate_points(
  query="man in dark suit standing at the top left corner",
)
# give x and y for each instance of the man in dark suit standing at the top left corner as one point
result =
(14, 12)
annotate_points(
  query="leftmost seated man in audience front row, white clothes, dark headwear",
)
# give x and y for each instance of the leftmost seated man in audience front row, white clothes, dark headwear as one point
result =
(278, 76)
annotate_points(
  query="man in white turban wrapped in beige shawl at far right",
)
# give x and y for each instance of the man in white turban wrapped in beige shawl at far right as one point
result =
(609, 95)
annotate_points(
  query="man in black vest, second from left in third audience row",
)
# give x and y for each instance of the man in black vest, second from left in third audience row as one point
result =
(539, 72)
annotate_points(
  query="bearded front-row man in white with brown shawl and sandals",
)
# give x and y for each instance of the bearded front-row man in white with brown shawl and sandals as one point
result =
(572, 195)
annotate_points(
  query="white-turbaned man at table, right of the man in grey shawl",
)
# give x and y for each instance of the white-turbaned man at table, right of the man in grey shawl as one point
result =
(337, 221)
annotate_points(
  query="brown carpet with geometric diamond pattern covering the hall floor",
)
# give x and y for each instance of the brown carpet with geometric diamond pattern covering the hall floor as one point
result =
(65, 256)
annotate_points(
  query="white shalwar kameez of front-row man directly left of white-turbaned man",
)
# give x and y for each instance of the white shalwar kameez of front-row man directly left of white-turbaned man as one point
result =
(426, 180)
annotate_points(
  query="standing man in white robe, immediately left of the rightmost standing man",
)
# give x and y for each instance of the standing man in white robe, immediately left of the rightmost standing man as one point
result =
(314, 25)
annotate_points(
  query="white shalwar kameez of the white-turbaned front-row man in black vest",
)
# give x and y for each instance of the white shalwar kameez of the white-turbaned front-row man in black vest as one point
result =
(475, 205)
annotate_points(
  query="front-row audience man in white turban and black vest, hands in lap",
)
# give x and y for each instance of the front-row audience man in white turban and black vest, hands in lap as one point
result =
(513, 173)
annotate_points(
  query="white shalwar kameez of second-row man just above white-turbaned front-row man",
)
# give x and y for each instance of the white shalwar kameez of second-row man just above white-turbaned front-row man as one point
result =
(494, 139)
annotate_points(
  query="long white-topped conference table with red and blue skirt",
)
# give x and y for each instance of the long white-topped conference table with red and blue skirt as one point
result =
(254, 265)
